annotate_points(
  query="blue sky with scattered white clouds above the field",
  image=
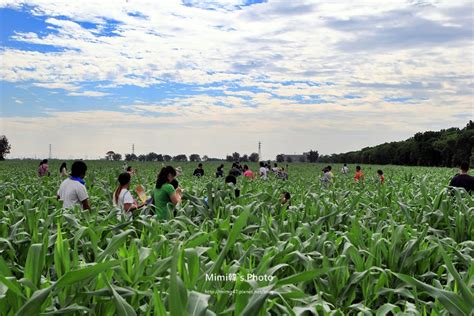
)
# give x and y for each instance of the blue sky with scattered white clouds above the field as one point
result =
(214, 77)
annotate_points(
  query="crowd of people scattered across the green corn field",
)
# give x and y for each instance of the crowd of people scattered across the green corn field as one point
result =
(167, 192)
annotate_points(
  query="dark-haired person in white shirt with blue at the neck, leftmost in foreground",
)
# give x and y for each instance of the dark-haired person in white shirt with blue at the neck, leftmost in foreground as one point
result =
(72, 190)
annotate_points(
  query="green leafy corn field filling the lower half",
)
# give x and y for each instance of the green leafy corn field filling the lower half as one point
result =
(405, 247)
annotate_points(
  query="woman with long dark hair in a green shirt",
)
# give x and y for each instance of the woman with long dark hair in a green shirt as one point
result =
(164, 194)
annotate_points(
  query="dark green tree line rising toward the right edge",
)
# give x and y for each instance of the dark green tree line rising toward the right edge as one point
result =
(444, 148)
